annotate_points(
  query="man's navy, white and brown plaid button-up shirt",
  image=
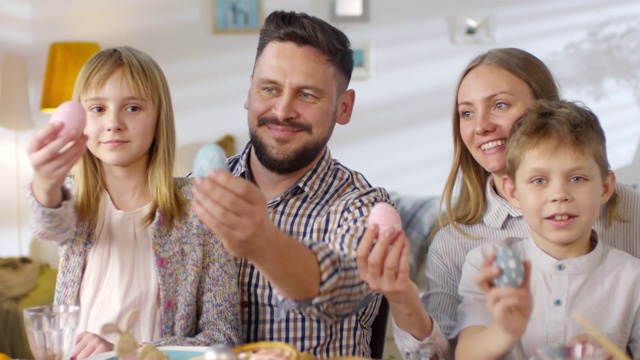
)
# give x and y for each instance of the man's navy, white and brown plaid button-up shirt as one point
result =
(327, 210)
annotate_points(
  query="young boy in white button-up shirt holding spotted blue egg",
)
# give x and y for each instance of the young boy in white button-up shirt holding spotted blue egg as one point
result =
(558, 175)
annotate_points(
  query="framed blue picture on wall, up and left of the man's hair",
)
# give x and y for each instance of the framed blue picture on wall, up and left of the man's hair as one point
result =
(237, 16)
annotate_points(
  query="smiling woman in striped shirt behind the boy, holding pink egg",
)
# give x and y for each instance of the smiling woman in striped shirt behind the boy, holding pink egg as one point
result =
(494, 90)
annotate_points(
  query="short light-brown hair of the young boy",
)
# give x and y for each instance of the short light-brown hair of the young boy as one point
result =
(561, 125)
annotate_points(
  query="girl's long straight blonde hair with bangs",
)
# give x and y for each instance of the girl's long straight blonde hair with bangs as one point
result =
(147, 81)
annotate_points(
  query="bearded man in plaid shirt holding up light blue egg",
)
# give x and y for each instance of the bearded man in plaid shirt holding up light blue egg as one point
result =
(291, 214)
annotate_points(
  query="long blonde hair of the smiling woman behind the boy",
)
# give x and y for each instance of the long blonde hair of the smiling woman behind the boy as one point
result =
(470, 205)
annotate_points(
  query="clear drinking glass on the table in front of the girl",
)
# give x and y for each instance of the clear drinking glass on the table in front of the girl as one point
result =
(51, 330)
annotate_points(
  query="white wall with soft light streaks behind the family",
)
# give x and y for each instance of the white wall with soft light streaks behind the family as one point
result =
(399, 136)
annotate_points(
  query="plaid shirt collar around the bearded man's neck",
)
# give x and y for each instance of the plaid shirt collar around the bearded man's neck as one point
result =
(312, 182)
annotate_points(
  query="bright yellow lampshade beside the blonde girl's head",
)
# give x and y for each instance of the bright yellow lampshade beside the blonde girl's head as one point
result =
(63, 65)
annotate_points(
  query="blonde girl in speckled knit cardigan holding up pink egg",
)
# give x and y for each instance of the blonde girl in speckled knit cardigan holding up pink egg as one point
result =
(129, 240)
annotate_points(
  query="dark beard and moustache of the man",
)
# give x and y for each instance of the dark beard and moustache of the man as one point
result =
(286, 163)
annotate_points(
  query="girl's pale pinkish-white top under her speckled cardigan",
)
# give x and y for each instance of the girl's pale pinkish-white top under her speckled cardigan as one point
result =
(120, 275)
